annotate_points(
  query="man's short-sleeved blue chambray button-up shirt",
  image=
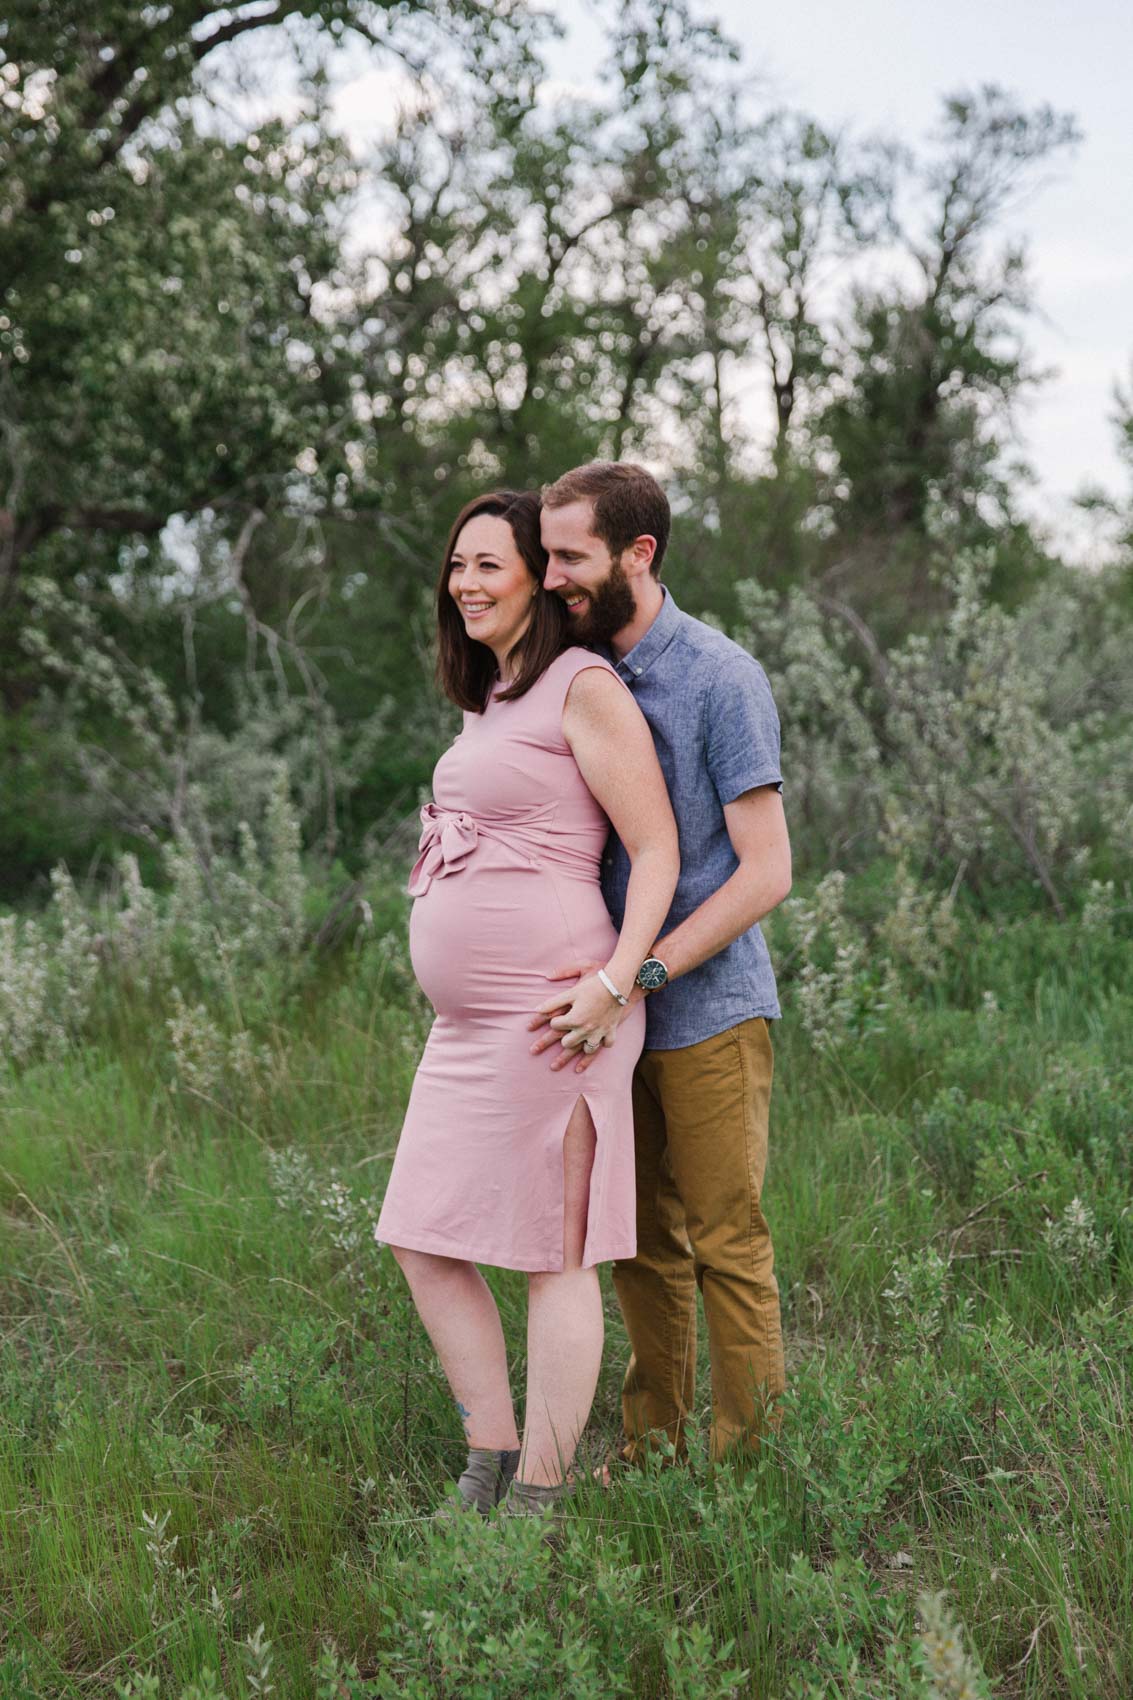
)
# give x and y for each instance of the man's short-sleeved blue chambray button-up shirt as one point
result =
(717, 735)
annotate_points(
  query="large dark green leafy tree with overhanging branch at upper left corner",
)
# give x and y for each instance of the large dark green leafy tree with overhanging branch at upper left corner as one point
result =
(161, 348)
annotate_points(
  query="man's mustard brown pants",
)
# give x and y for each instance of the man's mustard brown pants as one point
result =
(700, 1119)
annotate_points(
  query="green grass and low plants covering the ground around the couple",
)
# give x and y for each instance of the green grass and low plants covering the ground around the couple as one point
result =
(196, 1347)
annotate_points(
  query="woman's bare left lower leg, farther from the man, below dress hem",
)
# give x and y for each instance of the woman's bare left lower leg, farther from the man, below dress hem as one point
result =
(464, 1323)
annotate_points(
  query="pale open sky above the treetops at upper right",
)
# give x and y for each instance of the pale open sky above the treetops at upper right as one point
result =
(885, 65)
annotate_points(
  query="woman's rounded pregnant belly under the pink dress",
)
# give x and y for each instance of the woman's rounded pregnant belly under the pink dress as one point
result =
(484, 941)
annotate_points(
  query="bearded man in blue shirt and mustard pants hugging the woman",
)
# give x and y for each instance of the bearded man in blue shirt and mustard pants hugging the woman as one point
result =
(703, 1087)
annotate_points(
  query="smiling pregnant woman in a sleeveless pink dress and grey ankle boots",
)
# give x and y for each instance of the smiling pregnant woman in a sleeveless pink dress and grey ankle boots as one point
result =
(501, 1160)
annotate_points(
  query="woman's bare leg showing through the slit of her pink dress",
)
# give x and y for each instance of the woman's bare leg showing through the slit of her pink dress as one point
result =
(564, 1329)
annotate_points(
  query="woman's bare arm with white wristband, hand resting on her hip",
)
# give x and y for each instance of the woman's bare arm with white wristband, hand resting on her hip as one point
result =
(615, 752)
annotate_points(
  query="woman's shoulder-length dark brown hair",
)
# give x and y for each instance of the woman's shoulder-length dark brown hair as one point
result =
(467, 669)
